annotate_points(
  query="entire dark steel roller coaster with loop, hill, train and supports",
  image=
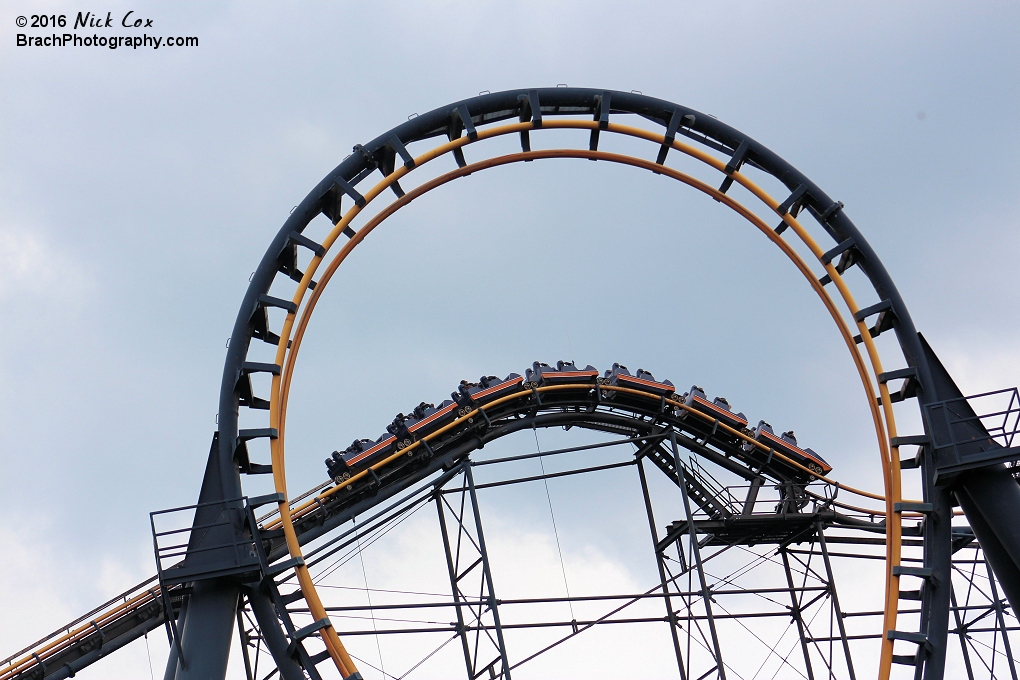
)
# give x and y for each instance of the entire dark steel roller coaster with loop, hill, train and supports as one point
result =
(749, 533)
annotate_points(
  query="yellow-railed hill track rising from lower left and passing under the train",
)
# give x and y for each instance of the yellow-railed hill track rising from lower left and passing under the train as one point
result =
(640, 417)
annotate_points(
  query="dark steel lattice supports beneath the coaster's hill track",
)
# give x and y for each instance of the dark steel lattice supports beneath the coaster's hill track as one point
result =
(786, 580)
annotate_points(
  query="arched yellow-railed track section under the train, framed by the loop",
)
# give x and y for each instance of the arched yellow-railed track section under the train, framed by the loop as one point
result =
(640, 416)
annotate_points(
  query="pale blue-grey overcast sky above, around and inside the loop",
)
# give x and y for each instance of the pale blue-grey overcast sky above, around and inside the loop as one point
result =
(140, 188)
